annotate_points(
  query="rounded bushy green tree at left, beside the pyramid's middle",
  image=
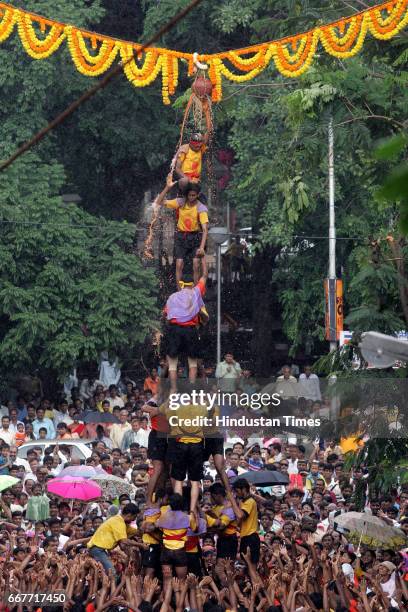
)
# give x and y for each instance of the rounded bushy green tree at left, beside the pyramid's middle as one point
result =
(71, 285)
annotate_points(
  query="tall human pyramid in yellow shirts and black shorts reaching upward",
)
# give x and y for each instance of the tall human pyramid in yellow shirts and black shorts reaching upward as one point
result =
(173, 521)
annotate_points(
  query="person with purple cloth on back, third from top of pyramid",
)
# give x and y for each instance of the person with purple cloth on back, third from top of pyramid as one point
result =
(184, 312)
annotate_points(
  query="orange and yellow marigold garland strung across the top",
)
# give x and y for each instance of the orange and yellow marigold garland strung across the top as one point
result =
(93, 54)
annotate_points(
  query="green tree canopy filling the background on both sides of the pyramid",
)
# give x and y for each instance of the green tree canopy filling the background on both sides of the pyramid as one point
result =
(121, 144)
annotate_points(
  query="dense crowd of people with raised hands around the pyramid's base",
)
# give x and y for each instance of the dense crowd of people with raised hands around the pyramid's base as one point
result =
(191, 532)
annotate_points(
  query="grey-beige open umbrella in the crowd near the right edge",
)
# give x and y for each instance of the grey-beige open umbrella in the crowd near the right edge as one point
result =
(363, 528)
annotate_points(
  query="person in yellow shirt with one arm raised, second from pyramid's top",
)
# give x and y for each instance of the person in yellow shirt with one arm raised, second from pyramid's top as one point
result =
(192, 227)
